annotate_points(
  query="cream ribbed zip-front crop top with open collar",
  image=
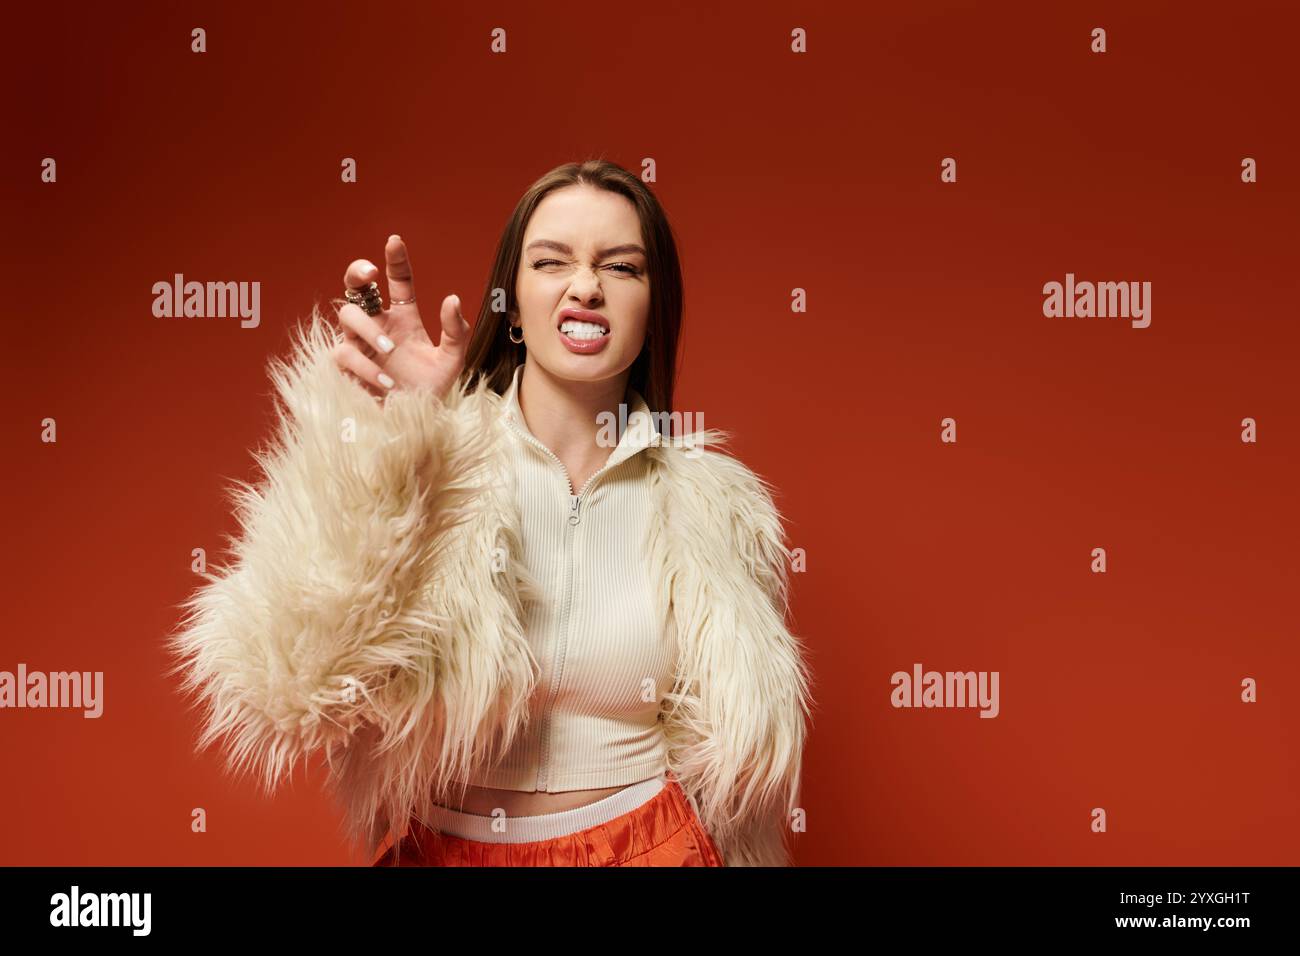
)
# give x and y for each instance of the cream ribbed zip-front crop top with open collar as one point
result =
(606, 663)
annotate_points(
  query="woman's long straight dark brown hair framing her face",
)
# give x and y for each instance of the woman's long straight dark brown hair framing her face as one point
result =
(653, 374)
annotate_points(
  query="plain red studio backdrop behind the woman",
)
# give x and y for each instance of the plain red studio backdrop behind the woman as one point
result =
(820, 171)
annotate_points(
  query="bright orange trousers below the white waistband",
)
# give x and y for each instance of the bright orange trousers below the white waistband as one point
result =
(664, 832)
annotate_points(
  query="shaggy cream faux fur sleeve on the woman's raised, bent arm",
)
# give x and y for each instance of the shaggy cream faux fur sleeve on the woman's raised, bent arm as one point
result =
(317, 626)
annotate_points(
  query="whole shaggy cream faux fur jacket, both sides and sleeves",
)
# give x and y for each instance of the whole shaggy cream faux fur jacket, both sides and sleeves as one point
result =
(372, 611)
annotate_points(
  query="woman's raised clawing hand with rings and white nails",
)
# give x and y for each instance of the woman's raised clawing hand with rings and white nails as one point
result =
(393, 349)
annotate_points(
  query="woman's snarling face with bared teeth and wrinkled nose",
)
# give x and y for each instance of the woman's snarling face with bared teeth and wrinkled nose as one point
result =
(583, 253)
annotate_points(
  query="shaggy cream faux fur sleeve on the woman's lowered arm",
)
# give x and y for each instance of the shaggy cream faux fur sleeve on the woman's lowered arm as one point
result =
(736, 724)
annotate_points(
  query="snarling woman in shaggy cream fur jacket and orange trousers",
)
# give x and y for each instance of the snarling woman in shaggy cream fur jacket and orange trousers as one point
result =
(523, 624)
